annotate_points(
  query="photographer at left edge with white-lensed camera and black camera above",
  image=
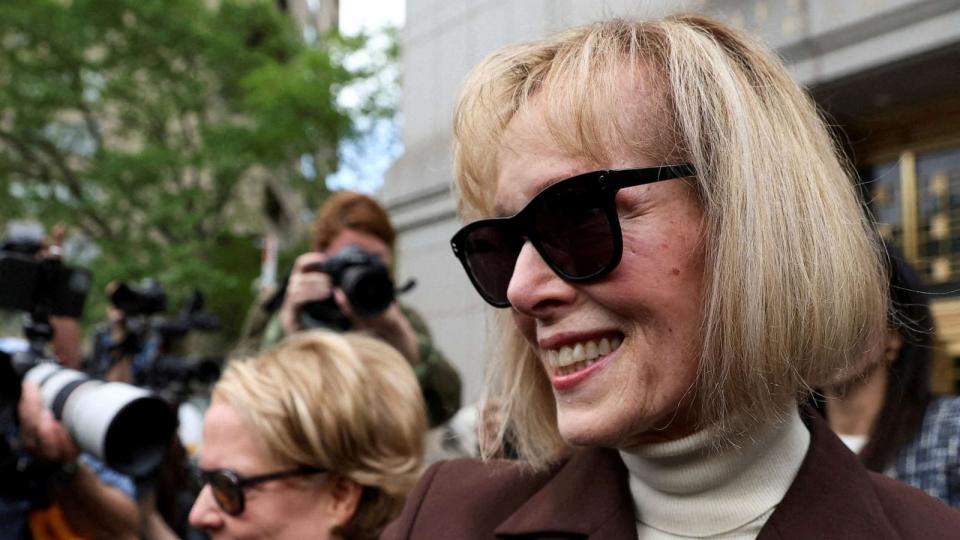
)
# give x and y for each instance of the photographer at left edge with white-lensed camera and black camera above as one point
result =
(71, 445)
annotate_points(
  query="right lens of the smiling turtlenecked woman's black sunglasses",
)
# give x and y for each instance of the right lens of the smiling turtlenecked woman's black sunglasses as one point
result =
(574, 231)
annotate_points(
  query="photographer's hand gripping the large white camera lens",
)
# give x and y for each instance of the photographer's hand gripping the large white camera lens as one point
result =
(42, 435)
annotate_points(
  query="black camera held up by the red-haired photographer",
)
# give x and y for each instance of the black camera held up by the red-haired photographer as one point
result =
(364, 279)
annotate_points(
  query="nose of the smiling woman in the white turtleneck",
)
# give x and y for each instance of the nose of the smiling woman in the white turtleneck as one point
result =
(534, 288)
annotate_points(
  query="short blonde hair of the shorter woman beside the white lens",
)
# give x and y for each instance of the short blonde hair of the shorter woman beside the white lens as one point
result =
(348, 404)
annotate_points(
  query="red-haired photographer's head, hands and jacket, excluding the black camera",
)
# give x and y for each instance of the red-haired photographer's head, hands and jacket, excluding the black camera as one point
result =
(353, 219)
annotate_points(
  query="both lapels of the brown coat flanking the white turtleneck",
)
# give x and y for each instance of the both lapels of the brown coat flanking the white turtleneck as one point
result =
(589, 497)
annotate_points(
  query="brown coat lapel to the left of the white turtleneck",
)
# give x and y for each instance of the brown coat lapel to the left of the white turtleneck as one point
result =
(589, 497)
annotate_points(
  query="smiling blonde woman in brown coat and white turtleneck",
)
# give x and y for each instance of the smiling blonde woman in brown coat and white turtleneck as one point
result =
(680, 255)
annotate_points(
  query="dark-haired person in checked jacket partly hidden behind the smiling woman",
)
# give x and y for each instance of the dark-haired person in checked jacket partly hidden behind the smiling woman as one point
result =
(887, 414)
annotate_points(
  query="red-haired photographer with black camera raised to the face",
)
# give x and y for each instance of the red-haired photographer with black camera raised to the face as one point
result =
(344, 284)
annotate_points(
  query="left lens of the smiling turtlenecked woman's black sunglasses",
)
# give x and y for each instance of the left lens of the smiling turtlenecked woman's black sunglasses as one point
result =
(491, 256)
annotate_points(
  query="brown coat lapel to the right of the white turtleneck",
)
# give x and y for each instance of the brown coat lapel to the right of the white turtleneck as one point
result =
(832, 494)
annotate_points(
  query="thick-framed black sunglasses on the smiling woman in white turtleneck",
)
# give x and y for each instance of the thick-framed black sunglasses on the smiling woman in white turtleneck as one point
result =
(573, 225)
